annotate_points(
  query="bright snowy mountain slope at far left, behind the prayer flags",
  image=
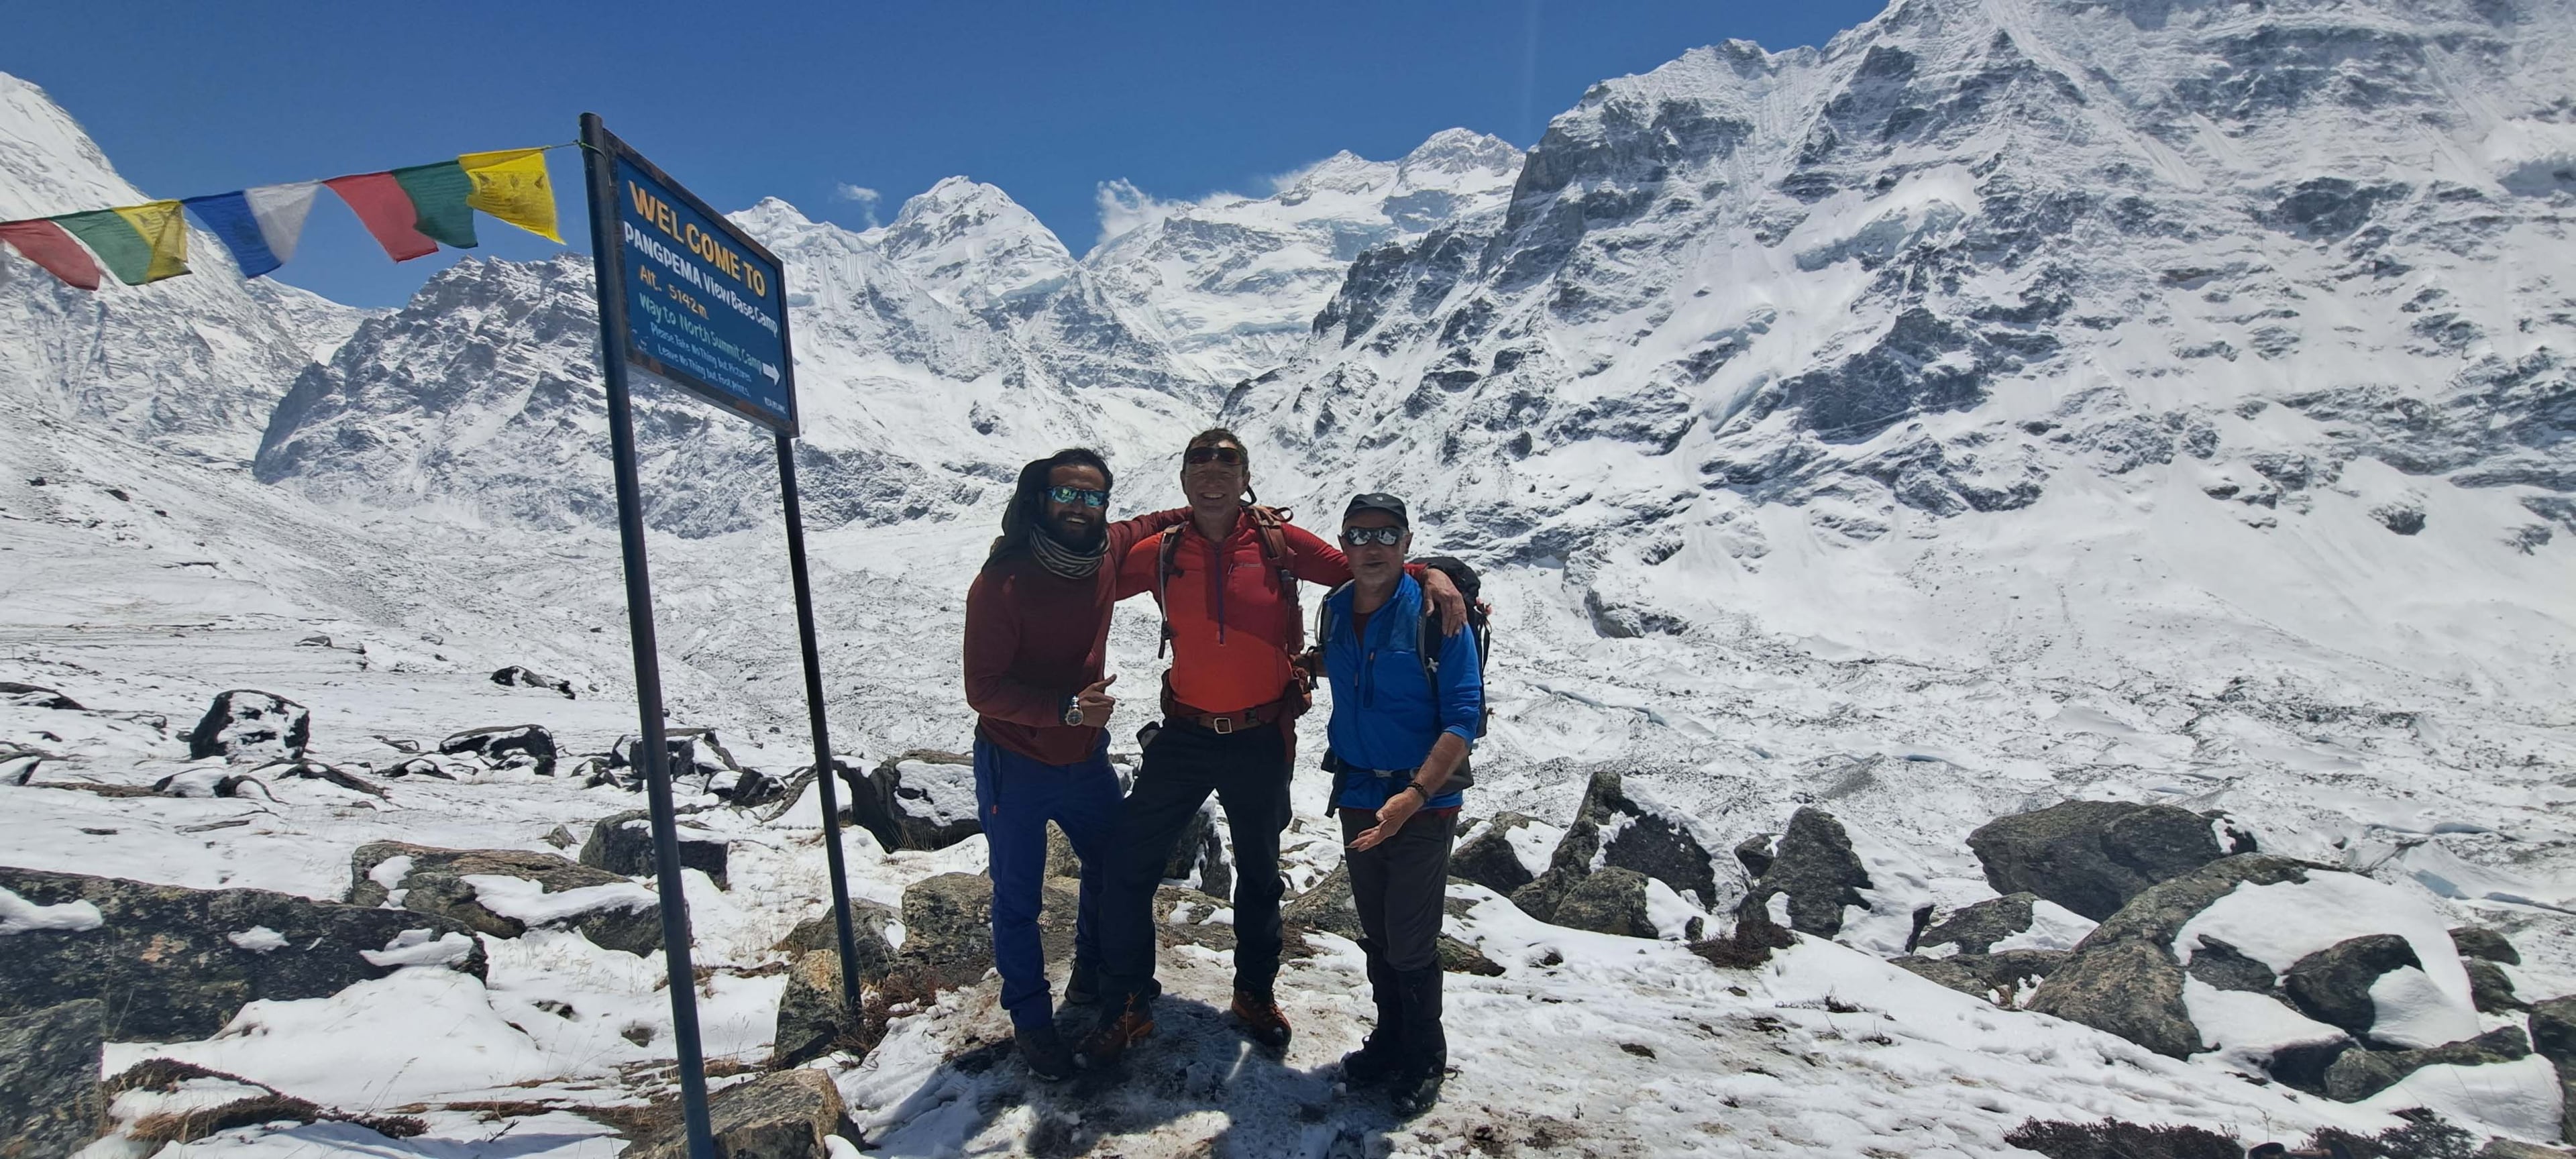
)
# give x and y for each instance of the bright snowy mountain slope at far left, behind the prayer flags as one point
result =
(189, 364)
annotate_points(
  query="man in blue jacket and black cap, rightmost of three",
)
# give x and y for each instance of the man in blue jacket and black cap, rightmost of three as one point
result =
(1400, 735)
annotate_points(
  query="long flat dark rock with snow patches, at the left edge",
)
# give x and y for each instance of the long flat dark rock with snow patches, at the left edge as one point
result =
(176, 965)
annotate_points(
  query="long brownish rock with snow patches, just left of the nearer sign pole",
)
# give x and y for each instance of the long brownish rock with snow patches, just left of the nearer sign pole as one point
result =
(560, 895)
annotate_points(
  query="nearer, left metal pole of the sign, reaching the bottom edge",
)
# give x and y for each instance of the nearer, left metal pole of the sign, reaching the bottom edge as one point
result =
(653, 751)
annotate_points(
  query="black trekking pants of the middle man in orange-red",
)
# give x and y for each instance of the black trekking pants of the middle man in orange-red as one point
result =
(1248, 771)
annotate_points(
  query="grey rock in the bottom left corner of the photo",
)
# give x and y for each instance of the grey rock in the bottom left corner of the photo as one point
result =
(50, 1101)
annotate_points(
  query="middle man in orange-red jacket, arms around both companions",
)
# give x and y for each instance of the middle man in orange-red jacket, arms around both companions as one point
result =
(1227, 589)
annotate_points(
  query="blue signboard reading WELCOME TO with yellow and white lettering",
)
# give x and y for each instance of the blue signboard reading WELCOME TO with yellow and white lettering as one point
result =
(705, 303)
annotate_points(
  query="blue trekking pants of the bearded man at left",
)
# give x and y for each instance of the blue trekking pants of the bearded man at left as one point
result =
(1016, 797)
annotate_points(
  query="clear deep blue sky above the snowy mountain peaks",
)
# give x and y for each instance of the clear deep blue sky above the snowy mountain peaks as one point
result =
(813, 99)
